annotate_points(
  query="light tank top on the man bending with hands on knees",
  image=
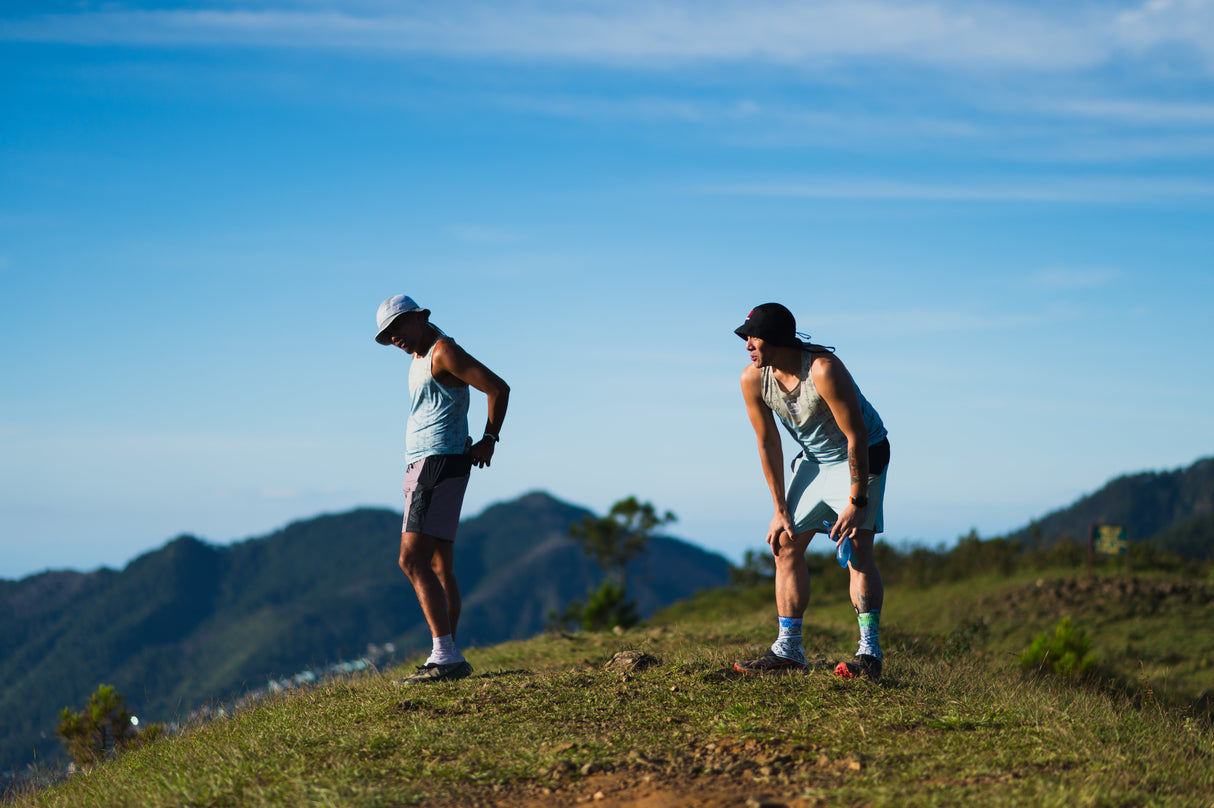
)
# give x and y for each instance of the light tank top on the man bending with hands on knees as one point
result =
(809, 419)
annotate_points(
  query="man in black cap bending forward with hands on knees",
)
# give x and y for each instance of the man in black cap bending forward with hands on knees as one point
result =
(838, 480)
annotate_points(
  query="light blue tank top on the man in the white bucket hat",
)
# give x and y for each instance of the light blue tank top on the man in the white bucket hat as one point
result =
(438, 413)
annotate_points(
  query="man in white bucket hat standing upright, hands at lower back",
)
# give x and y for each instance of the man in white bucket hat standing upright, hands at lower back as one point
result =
(440, 456)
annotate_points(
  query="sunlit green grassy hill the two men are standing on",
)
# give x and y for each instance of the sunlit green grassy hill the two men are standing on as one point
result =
(549, 722)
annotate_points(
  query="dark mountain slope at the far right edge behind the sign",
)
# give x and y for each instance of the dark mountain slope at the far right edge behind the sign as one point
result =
(1173, 510)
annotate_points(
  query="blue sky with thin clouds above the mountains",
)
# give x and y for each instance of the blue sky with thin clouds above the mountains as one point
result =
(1000, 213)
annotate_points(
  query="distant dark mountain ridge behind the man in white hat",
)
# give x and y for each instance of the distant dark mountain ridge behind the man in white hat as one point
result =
(192, 622)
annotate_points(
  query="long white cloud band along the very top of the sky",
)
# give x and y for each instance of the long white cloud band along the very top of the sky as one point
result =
(645, 33)
